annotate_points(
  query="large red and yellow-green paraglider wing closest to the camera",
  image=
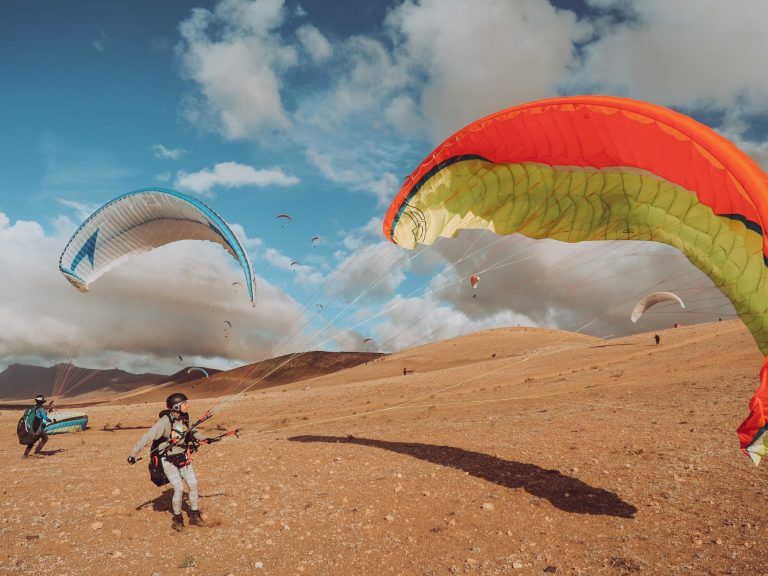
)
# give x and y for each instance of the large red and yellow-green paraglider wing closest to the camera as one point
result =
(586, 168)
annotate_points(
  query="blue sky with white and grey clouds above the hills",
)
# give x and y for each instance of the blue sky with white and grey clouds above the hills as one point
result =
(317, 109)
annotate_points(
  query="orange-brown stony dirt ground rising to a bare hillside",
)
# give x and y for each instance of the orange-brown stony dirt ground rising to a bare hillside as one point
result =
(512, 451)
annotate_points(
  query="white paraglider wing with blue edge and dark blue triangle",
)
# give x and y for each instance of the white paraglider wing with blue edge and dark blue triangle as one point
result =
(141, 221)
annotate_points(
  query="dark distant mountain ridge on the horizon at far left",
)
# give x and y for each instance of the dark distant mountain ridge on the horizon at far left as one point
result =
(22, 382)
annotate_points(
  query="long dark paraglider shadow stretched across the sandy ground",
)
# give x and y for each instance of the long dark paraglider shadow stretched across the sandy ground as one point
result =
(564, 492)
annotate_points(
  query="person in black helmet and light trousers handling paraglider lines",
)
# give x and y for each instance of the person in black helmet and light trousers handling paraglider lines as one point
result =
(172, 441)
